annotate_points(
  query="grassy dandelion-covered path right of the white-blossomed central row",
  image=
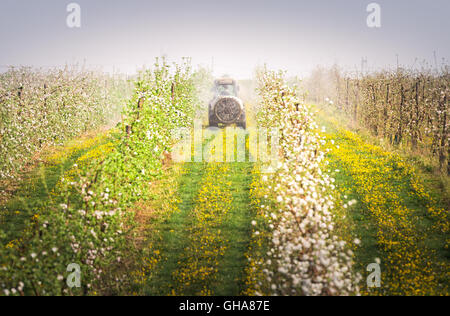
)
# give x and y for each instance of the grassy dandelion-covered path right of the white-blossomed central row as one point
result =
(397, 220)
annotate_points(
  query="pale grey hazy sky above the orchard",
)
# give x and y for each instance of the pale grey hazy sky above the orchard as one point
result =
(234, 35)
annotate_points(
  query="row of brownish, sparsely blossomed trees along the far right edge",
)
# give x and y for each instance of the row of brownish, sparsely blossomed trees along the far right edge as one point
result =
(406, 107)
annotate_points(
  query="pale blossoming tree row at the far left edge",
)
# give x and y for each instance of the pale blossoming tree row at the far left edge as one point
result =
(47, 107)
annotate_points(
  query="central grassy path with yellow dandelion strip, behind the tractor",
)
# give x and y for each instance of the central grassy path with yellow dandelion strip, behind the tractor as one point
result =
(203, 244)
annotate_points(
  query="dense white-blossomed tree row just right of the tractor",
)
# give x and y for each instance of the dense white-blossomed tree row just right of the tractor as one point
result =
(304, 256)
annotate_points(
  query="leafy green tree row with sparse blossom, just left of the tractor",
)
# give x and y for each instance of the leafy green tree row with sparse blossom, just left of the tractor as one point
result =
(86, 222)
